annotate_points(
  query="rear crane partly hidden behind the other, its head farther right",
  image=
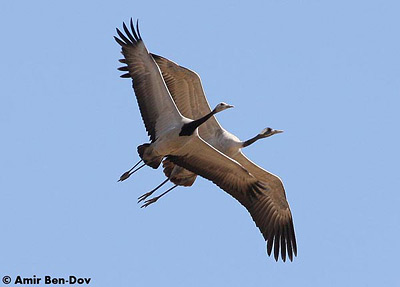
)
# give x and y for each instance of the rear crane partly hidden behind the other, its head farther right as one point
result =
(187, 92)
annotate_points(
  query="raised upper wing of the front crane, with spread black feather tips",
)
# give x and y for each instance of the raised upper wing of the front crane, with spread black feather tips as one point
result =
(155, 103)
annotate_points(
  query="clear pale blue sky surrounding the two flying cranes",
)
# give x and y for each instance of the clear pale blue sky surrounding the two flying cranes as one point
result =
(326, 72)
